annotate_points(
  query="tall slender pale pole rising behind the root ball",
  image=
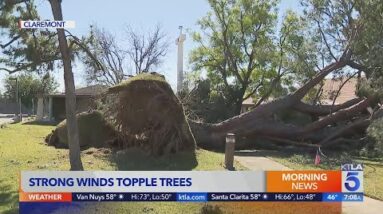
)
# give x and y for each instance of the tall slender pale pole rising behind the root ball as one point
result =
(180, 60)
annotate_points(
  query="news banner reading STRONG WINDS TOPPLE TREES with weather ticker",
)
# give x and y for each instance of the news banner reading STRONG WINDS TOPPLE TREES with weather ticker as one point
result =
(345, 185)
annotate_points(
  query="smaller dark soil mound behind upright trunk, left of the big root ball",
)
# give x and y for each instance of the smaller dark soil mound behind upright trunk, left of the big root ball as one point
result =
(94, 131)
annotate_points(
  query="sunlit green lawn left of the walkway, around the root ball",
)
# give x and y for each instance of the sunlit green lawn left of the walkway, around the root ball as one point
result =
(22, 147)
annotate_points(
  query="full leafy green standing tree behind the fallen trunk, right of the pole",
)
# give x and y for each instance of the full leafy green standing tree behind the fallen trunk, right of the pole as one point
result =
(245, 55)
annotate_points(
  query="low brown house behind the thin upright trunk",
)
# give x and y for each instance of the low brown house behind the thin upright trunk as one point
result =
(52, 106)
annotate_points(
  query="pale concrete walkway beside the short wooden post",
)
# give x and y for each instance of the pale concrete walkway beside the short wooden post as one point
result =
(255, 161)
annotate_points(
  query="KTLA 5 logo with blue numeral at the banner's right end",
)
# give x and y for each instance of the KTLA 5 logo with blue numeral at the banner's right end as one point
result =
(352, 178)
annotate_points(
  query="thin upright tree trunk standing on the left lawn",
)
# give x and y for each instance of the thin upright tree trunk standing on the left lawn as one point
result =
(70, 96)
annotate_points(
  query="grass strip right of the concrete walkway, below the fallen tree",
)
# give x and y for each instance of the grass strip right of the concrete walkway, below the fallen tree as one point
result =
(373, 168)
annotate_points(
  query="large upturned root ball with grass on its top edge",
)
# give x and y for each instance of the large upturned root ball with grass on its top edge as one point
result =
(150, 116)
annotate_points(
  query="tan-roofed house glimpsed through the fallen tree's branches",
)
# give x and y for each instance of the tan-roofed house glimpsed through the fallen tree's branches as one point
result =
(329, 92)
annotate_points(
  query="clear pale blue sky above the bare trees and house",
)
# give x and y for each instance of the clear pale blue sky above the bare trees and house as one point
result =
(113, 15)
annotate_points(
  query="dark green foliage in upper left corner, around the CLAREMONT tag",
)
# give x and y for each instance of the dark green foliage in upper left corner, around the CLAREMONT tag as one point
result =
(24, 50)
